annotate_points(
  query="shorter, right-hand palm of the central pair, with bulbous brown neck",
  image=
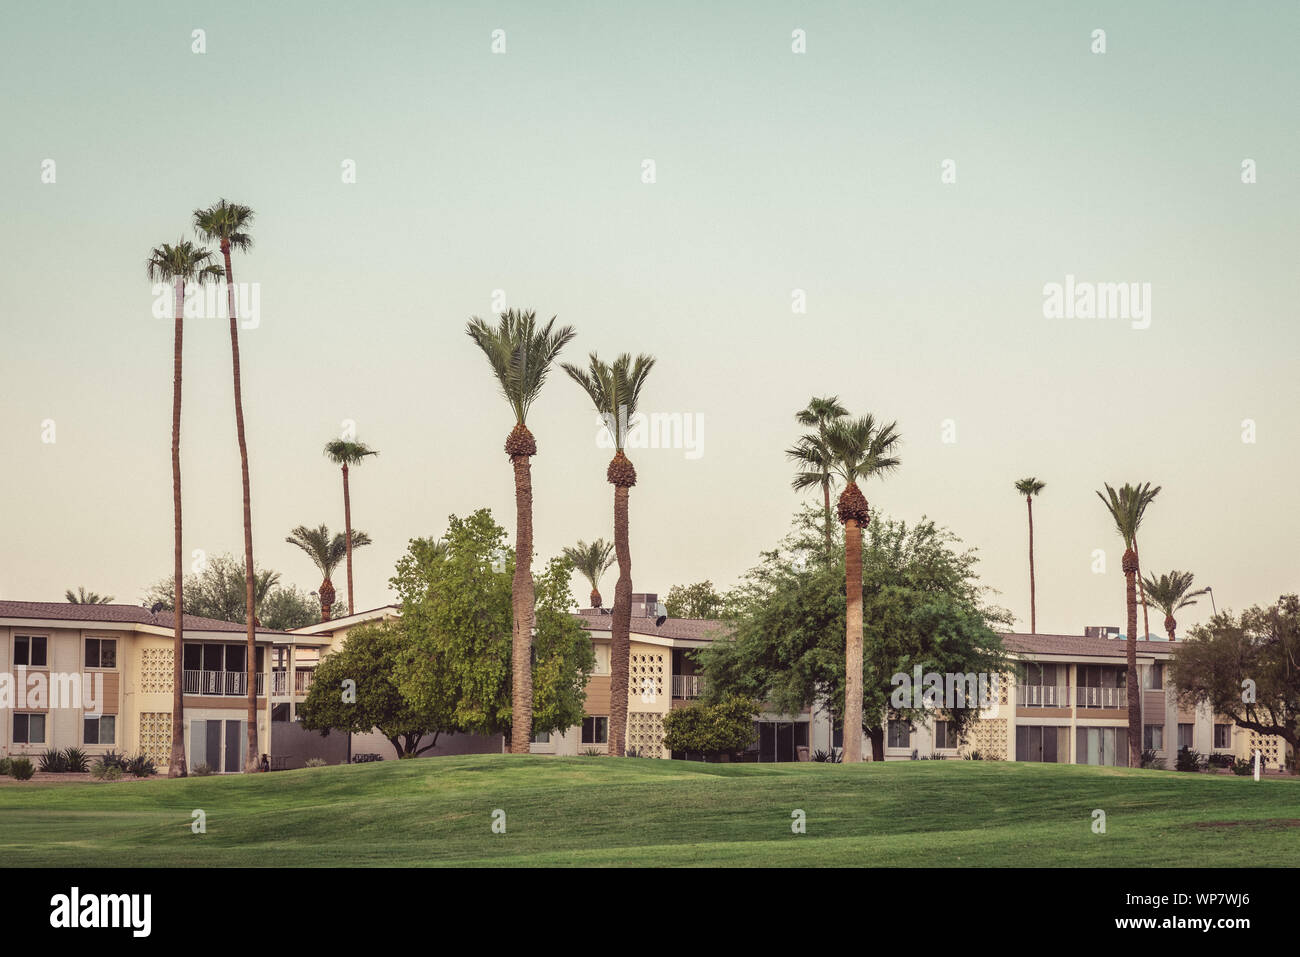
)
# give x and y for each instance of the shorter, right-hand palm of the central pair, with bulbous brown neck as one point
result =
(616, 391)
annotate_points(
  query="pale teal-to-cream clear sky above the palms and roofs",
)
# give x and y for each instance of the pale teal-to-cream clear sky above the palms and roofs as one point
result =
(521, 177)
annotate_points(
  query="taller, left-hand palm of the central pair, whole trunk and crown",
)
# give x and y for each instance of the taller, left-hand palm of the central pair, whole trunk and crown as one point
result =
(521, 353)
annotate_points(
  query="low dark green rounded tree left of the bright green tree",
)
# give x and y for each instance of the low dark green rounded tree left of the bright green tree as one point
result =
(354, 691)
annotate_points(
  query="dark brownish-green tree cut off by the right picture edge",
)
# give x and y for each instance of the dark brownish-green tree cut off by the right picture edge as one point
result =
(1247, 669)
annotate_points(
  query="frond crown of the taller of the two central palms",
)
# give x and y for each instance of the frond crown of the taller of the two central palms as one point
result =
(521, 354)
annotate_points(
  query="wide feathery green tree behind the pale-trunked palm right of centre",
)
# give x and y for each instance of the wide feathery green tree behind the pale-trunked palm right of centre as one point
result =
(922, 604)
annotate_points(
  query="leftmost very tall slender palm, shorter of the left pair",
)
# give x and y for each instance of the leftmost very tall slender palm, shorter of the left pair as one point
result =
(179, 265)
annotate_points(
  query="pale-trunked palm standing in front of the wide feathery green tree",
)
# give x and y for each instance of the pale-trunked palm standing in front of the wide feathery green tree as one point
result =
(861, 449)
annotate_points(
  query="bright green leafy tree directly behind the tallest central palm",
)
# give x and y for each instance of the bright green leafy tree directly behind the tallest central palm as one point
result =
(457, 607)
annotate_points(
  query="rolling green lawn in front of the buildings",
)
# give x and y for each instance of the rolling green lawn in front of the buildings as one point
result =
(636, 812)
